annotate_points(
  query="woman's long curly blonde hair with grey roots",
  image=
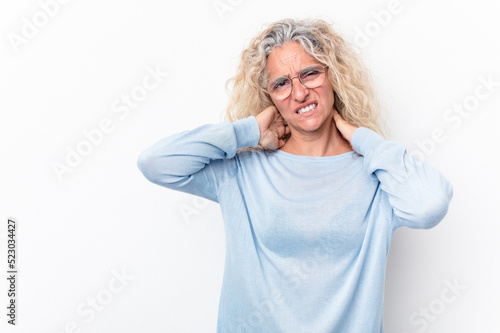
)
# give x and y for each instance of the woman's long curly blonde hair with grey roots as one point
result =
(355, 99)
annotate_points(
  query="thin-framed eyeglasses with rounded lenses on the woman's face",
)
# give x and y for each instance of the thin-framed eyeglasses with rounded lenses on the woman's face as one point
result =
(311, 77)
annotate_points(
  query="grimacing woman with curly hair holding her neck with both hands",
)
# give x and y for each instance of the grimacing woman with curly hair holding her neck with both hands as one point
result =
(310, 210)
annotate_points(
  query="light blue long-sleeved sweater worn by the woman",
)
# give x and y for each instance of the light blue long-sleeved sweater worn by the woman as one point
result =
(306, 237)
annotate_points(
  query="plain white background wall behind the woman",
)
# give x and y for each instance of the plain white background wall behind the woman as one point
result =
(103, 218)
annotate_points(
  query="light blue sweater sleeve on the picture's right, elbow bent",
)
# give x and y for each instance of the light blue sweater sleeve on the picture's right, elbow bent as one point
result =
(418, 193)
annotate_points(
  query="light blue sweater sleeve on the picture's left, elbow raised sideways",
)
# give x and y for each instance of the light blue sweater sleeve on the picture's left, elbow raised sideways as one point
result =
(199, 161)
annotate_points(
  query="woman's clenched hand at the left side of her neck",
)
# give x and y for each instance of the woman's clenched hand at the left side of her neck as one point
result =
(272, 127)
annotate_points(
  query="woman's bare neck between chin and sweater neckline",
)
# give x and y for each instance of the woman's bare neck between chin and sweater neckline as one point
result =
(326, 142)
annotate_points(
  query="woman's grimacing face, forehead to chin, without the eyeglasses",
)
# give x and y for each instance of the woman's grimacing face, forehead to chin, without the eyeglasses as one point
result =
(289, 60)
